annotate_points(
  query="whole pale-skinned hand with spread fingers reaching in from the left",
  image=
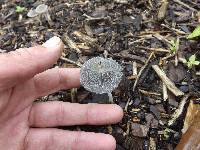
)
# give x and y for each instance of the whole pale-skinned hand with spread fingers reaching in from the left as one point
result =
(29, 125)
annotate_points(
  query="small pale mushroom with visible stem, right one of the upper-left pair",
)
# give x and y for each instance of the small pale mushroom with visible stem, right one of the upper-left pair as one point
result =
(41, 10)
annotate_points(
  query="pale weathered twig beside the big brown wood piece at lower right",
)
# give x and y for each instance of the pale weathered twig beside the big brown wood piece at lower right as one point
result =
(178, 111)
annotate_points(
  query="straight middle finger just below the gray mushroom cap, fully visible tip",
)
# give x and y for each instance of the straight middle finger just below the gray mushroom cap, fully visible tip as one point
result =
(51, 114)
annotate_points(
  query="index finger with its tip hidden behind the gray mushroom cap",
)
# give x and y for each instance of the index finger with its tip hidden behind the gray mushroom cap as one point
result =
(55, 79)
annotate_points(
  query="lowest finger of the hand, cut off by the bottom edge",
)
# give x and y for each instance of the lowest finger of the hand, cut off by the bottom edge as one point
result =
(41, 139)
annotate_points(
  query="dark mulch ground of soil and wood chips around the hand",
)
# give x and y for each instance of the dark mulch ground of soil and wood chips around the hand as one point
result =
(137, 34)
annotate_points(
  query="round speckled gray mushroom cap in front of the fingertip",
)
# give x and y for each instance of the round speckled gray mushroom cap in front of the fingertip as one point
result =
(101, 75)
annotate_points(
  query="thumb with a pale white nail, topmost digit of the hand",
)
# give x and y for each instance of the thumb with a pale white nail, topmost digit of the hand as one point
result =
(22, 64)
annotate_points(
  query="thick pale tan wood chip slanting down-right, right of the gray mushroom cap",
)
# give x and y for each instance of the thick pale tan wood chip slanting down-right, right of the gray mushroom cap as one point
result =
(170, 85)
